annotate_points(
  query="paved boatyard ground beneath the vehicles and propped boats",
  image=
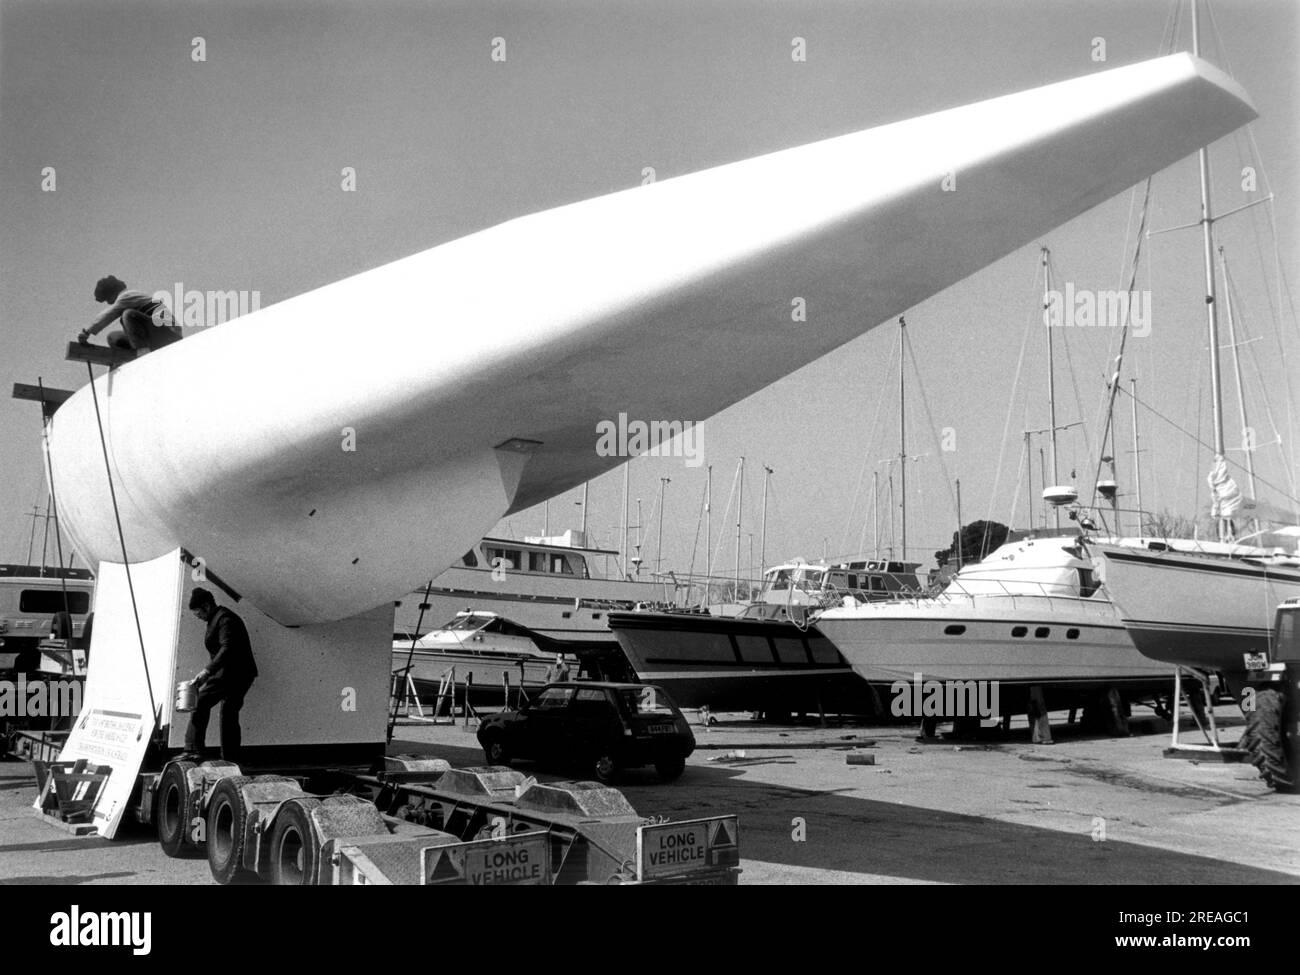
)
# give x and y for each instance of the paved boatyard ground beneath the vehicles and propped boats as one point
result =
(1084, 811)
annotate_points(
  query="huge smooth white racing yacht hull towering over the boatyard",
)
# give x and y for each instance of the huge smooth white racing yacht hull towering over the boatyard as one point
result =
(294, 460)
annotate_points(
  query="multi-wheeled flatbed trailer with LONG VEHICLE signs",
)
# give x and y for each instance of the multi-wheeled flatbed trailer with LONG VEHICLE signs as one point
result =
(422, 822)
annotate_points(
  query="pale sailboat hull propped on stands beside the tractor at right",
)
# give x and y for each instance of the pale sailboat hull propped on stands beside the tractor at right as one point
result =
(1195, 609)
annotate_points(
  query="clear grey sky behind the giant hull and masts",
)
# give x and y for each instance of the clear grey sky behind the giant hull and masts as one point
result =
(226, 174)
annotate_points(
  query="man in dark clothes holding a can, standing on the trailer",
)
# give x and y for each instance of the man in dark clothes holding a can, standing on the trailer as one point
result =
(226, 681)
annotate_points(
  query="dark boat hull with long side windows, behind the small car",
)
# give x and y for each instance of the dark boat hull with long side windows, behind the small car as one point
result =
(740, 665)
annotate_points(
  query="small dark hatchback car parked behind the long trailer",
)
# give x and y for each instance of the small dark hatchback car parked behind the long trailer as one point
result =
(600, 727)
